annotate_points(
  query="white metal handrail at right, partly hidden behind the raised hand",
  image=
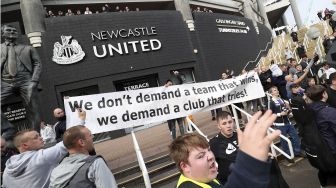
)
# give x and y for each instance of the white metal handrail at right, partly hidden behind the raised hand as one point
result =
(273, 146)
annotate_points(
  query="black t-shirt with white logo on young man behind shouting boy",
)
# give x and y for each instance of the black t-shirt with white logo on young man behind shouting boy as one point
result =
(225, 151)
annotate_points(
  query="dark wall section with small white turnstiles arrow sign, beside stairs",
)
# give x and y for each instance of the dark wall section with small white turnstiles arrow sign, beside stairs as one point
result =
(228, 41)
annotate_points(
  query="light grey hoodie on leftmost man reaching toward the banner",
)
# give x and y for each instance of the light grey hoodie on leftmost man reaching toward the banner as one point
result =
(32, 169)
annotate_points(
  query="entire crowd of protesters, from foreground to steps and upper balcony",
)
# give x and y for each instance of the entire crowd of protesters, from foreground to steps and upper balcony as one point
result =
(233, 158)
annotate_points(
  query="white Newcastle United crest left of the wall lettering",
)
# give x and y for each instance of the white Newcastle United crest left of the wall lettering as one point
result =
(68, 52)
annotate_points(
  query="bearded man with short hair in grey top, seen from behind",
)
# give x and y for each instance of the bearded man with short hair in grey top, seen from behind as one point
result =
(80, 169)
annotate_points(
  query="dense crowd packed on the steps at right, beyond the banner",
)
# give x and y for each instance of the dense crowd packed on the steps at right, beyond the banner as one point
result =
(295, 87)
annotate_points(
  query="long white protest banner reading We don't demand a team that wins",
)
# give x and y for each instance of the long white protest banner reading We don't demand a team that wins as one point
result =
(120, 110)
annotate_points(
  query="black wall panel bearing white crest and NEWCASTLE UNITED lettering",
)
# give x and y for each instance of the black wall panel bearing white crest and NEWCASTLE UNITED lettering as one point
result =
(106, 44)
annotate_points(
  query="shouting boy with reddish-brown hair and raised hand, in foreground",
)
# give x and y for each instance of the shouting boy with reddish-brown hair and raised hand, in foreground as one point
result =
(198, 166)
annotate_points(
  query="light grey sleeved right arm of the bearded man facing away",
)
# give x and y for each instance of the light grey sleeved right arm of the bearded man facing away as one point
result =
(101, 175)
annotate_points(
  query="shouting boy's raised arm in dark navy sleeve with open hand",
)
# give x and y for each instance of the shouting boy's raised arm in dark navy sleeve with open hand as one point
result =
(252, 167)
